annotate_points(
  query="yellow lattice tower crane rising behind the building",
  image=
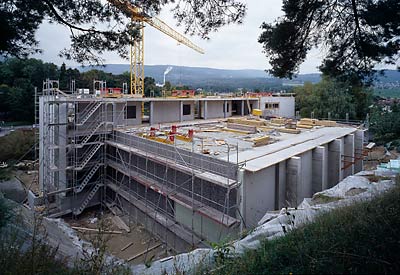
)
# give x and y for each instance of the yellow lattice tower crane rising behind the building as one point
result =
(137, 49)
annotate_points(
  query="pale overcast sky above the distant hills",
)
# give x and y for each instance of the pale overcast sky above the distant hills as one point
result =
(232, 47)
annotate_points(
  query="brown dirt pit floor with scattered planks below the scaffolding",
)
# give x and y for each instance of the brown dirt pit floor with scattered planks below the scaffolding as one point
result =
(140, 238)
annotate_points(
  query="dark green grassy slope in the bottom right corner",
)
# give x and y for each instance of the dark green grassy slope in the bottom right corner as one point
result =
(360, 239)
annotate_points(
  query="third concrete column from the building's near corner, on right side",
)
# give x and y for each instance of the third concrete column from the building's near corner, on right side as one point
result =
(334, 161)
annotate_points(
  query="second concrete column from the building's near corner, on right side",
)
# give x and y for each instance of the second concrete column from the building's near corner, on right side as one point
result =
(319, 169)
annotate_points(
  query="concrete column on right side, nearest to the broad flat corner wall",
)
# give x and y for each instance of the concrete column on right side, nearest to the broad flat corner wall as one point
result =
(293, 181)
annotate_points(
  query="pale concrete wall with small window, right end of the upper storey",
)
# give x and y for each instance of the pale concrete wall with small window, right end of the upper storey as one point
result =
(286, 106)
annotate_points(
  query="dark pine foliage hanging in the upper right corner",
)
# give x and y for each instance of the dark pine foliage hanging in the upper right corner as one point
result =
(355, 35)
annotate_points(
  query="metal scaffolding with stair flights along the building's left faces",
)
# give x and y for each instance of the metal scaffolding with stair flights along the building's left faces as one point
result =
(86, 159)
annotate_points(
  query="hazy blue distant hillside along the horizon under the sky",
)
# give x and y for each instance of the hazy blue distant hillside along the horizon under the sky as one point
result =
(222, 79)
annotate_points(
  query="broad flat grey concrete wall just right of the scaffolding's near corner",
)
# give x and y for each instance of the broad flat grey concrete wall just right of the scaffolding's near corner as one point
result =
(259, 189)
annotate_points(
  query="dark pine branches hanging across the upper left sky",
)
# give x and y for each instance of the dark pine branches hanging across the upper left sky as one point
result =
(97, 26)
